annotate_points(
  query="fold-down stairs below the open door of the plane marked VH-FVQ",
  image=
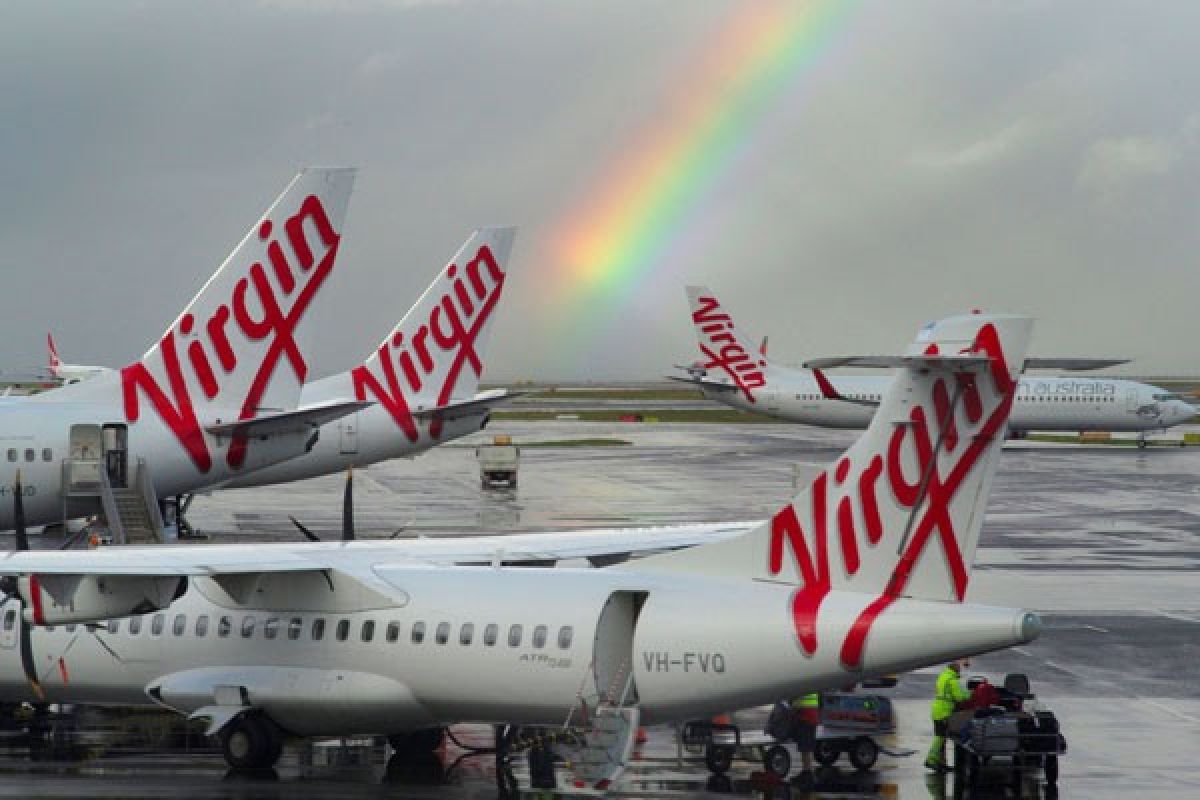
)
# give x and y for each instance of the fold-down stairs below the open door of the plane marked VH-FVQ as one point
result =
(604, 739)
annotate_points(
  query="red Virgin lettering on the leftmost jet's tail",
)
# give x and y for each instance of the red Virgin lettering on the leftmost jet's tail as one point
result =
(260, 310)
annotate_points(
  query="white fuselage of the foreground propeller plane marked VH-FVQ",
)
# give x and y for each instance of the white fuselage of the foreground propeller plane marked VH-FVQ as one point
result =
(689, 649)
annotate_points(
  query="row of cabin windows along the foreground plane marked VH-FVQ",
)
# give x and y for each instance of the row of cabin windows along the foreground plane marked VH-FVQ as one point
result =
(274, 625)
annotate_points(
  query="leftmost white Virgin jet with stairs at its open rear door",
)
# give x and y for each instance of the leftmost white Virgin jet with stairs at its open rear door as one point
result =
(215, 398)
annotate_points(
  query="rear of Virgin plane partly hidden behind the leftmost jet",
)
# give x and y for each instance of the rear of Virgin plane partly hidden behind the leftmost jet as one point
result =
(421, 382)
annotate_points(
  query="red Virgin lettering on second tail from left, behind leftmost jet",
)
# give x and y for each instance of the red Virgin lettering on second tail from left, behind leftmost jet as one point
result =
(453, 328)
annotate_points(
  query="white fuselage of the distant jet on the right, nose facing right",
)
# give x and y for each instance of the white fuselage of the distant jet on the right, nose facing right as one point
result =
(1042, 404)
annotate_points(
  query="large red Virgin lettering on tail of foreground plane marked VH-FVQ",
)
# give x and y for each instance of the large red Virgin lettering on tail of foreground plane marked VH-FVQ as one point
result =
(866, 528)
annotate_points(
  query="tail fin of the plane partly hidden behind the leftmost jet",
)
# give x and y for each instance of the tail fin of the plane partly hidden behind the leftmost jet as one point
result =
(435, 356)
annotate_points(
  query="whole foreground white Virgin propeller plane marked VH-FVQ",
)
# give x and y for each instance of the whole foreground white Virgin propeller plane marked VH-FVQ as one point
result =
(863, 574)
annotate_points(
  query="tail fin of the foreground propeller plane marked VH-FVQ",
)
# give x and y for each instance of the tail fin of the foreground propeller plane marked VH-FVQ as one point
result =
(901, 513)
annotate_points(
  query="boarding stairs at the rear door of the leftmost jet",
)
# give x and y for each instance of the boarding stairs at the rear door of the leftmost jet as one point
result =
(131, 513)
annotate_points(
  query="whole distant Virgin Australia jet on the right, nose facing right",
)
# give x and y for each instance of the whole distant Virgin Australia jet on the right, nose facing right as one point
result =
(733, 372)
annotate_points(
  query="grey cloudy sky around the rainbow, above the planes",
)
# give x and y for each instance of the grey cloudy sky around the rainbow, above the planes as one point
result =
(935, 158)
